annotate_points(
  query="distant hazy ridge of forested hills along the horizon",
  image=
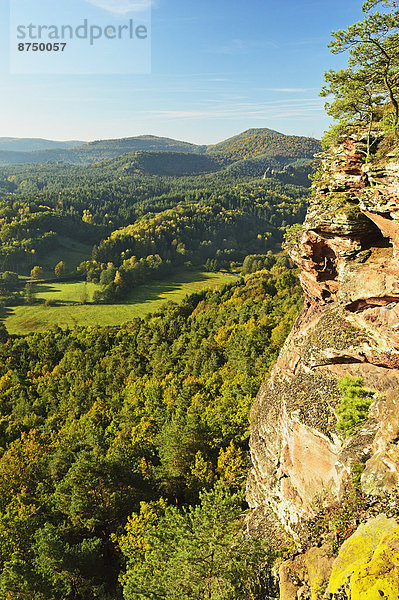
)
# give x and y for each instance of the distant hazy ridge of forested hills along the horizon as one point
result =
(249, 144)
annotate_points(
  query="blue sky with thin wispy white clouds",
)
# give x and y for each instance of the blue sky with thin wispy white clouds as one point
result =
(218, 67)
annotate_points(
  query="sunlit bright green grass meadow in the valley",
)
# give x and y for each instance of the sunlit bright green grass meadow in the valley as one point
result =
(21, 320)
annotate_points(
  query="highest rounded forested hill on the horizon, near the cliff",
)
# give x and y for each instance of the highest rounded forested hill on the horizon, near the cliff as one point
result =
(267, 142)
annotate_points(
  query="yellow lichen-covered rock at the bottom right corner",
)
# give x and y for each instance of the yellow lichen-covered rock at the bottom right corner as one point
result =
(366, 567)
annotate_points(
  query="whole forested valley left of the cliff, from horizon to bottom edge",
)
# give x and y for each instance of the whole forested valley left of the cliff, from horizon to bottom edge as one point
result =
(143, 298)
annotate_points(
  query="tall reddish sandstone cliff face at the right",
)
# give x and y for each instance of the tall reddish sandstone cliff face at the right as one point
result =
(348, 253)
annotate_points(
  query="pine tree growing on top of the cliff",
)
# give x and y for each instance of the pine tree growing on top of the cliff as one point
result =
(370, 84)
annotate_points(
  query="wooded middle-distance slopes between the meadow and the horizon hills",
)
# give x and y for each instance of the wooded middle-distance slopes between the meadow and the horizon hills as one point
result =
(57, 215)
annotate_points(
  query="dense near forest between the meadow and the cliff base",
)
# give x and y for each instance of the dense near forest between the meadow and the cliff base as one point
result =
(104, 430)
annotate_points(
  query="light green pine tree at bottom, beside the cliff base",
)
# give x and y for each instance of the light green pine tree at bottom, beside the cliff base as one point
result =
(197, 553)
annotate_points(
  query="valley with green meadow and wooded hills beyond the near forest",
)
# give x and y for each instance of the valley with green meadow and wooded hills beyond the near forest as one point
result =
(145, 227)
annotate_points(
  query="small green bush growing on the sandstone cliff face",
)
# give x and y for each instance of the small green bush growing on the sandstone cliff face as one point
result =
(354, 406)
